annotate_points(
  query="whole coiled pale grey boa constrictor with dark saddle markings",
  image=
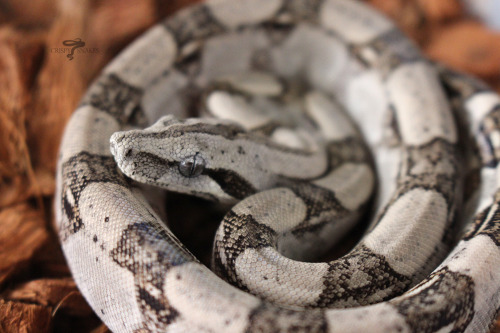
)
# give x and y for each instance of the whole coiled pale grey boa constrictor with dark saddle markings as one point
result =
(301, 187)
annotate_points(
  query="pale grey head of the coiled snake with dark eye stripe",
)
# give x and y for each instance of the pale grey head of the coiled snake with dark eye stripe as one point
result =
(192, 156)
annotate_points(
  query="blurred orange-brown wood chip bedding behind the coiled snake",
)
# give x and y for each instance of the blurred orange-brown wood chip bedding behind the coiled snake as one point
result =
(40, 87)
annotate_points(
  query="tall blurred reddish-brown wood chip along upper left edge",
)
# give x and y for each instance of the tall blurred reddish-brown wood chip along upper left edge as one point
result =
(16, 173)
